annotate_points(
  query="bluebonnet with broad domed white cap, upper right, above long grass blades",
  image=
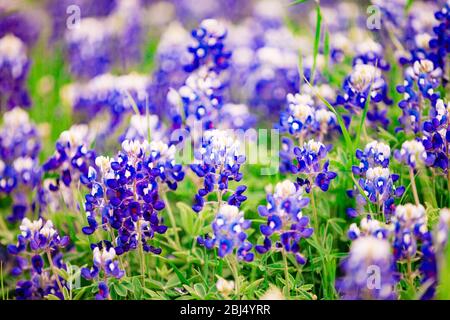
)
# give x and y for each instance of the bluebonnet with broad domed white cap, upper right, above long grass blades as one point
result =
(365, 80)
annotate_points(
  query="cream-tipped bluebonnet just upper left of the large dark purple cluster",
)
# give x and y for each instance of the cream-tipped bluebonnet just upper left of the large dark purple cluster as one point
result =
(72, 157)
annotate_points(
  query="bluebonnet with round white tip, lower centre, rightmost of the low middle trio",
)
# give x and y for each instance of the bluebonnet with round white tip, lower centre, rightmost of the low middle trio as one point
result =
(285, 218)
